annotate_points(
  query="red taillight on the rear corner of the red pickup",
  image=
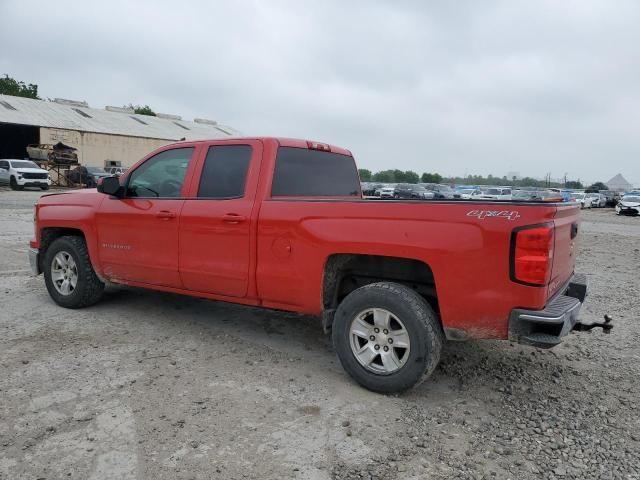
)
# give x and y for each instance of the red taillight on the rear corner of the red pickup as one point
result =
(532, 255)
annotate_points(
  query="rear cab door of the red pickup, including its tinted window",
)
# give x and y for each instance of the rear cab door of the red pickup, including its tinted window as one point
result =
(218, 223)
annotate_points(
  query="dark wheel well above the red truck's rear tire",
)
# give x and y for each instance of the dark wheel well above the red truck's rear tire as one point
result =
(346, 272)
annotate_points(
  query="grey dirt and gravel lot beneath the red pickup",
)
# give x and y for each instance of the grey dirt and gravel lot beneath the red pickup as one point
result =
(149, 385)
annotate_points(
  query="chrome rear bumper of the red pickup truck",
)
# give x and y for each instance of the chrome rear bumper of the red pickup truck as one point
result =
(546, 328)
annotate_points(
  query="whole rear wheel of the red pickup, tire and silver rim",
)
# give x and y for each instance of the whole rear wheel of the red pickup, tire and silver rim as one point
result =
(387, 337)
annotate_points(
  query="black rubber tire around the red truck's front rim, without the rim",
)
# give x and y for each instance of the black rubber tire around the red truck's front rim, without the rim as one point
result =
(88, 289)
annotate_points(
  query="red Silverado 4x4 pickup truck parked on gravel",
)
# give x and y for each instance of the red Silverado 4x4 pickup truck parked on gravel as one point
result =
(281, 224)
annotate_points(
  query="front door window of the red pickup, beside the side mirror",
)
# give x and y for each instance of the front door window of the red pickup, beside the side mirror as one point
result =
(161, 176)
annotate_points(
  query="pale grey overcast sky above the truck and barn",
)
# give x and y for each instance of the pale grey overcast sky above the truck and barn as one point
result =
(453, 87)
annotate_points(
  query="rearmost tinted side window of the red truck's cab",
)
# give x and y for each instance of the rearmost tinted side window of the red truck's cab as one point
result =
(314, 173)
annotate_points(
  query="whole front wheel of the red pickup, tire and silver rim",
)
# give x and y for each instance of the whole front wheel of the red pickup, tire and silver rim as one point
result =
(68, 274)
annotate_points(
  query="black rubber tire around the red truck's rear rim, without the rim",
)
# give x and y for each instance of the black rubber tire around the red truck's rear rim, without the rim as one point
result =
(419, 320)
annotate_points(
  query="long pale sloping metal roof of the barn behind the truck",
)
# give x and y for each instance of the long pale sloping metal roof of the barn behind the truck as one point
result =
(70, 115)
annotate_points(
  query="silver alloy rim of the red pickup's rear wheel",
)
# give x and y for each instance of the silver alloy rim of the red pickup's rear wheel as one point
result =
(379, 341)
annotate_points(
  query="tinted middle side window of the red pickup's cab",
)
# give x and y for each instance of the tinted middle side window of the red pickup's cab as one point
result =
(225, 171)
